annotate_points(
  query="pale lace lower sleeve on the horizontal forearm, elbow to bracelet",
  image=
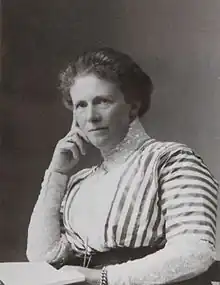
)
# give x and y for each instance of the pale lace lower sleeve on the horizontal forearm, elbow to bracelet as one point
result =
(182, 259)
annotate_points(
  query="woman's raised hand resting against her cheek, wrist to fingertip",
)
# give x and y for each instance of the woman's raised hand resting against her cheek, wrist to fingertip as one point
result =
(68, 151)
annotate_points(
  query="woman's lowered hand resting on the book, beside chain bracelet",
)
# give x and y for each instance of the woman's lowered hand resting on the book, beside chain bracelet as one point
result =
(92, 276)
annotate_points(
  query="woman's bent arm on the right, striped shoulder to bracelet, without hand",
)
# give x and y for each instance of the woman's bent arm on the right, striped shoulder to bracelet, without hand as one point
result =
(189, 205)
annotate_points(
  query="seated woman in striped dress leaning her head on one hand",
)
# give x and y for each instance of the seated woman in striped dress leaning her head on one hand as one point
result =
(147, 213)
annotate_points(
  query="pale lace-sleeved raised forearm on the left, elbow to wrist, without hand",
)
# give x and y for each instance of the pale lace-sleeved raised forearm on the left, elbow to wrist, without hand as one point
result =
(45, 242)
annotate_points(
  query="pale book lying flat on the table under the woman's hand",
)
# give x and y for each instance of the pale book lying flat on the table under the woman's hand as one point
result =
(36, 273)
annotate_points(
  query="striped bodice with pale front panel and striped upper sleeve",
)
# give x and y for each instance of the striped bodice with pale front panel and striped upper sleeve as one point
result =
(162, 190)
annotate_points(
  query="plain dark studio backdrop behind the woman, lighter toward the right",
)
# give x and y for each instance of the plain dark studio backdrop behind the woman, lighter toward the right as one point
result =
(176, 42)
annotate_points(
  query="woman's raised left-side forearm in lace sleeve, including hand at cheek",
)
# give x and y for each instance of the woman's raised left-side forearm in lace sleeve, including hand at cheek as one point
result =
(45, 241)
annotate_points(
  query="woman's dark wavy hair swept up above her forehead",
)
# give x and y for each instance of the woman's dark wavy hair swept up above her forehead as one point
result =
(114, 66)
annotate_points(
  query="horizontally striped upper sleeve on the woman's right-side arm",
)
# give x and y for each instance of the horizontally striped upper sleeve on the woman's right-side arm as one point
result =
(188, 195)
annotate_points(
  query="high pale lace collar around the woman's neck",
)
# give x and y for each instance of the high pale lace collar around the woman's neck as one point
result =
(135, 136)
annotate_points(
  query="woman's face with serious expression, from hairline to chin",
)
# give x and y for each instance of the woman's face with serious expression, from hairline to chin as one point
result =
(100, 110)
